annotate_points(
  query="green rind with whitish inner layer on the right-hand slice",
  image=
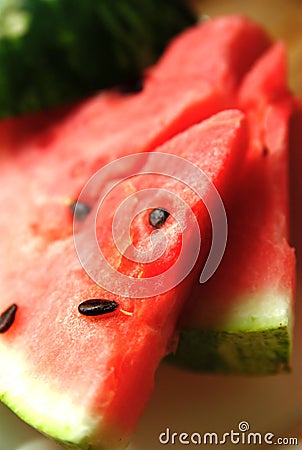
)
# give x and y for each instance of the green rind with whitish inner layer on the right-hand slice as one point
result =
(250, 341)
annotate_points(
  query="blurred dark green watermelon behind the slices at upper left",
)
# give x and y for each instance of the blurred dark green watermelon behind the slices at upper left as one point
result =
(54, 52)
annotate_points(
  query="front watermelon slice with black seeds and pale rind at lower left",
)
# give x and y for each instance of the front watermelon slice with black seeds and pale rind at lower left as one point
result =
(85, 380)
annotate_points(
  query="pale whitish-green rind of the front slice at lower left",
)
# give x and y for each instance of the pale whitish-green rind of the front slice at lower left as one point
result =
(27, 391)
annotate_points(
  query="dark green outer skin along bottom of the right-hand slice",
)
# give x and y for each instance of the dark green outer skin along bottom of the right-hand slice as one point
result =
(261, 352)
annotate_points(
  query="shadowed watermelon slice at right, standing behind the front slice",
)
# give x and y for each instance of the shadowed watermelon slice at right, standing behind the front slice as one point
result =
(241, 320)
